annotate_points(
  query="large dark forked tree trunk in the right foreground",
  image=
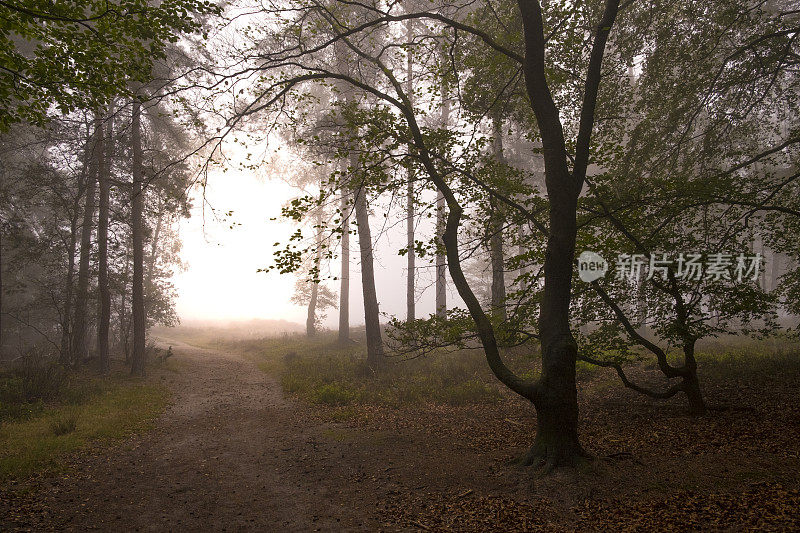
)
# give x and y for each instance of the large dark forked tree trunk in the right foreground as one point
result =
(556, 395)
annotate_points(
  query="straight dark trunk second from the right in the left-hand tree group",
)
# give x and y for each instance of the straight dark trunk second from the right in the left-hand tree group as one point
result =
(102, 246)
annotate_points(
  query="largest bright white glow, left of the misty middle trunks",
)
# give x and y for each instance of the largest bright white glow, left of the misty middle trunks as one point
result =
(221, 281)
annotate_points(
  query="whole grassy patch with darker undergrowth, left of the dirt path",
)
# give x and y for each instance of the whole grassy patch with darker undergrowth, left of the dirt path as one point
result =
(40, 427)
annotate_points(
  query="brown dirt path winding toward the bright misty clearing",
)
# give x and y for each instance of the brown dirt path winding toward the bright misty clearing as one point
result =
(230, 453)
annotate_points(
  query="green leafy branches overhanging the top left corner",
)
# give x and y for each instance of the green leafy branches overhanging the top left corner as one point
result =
(78, 55)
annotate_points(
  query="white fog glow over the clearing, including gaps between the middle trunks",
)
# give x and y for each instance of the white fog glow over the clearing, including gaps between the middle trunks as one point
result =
(221, 281)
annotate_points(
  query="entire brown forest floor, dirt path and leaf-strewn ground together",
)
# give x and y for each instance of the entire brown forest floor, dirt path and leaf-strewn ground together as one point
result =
(233, 452)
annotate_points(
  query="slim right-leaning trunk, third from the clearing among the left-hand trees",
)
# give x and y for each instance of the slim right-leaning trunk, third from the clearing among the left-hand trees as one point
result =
(79, 326)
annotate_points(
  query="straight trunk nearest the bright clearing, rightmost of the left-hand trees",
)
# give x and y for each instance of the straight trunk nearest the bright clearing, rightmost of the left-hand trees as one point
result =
(137, 232)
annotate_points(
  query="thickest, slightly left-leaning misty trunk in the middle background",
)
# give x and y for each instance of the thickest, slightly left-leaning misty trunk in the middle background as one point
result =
(375, 357)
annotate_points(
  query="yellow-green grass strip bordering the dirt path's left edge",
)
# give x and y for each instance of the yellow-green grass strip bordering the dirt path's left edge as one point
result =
(88, 410)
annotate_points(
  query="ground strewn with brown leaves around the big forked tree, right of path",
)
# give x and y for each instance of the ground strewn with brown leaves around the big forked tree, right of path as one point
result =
(654, 467)
